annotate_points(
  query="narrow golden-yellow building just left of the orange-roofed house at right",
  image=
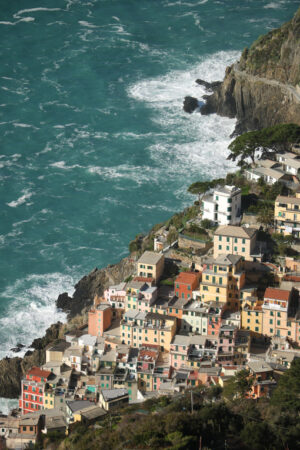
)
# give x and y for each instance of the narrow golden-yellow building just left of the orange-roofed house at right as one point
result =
(252, 315)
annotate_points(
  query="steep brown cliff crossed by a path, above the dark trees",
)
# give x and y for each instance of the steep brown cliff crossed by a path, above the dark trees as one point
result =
(263, 88)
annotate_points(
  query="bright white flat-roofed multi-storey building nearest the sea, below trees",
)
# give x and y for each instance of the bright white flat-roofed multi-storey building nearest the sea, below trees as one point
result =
(223, 206)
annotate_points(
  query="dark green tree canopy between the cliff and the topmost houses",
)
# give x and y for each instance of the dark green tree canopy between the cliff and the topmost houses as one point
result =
(267, 141)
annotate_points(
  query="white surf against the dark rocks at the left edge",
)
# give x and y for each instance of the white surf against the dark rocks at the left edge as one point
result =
(31, 308)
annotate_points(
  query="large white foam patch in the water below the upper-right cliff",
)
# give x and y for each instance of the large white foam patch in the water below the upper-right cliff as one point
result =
(192, 144)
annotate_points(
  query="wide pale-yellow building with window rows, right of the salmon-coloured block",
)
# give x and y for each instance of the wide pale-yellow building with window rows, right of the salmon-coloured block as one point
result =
(138, 328)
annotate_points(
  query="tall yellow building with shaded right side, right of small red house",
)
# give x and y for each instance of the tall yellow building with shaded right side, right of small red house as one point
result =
(222, 279)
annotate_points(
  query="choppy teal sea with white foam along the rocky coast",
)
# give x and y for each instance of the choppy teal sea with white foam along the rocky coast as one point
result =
(95, 145)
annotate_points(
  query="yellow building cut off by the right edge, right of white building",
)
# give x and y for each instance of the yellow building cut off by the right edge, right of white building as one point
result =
(287, 215)
